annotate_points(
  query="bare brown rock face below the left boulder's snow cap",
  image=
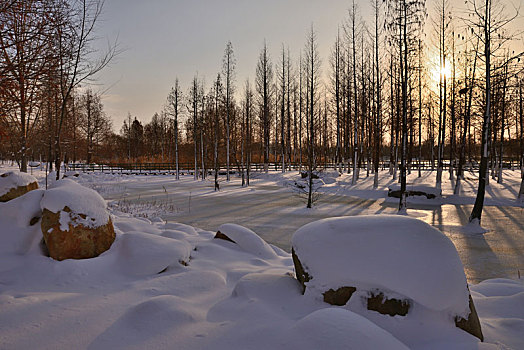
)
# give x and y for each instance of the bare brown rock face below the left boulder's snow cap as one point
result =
(74, 240)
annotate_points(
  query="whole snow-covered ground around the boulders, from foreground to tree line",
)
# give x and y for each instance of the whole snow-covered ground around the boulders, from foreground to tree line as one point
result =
(216, 294)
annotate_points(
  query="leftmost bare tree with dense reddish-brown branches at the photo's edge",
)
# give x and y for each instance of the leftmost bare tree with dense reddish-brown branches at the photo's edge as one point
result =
(24, 51)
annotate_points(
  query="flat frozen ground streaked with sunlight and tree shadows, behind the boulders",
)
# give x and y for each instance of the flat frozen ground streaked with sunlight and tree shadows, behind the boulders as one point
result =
(274, 211)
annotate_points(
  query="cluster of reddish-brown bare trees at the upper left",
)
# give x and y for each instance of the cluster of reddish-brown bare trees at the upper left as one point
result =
(46, 54)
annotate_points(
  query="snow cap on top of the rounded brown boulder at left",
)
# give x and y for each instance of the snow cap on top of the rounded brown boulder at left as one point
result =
(81, 200)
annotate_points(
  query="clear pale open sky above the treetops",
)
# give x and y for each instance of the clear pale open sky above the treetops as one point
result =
(166, 39)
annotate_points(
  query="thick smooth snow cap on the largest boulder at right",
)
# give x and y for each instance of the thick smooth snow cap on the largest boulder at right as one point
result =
(391, 253)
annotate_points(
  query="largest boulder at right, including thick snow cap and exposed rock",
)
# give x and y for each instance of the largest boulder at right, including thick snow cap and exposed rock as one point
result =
(392, 263)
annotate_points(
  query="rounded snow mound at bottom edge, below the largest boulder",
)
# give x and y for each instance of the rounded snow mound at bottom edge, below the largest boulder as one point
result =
(334, 328)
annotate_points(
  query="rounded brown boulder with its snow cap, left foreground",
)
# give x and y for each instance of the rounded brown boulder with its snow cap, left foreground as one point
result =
(75, 222)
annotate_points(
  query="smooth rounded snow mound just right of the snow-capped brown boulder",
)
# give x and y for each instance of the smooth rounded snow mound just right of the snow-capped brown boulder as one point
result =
(142, 254)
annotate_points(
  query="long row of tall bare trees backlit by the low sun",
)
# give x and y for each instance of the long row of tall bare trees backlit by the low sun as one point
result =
(404, 89)
